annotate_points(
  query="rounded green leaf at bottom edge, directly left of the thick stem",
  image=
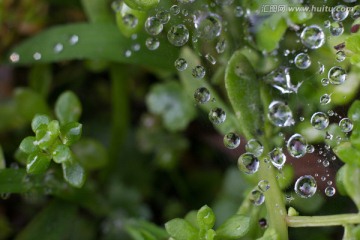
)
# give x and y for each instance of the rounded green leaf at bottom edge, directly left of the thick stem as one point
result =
(233, 228)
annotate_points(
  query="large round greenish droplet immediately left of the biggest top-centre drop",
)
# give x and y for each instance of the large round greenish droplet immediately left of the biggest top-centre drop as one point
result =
(208, 26)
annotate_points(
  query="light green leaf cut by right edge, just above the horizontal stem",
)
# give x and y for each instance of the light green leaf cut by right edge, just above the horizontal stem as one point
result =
(351, 182)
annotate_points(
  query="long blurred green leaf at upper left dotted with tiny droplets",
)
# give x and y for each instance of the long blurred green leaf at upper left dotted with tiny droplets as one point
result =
(96, 42)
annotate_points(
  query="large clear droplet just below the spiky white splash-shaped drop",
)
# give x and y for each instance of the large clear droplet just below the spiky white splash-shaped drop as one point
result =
(280, 114)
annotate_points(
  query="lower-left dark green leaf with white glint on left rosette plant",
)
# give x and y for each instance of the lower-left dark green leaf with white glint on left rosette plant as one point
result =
(37, 163)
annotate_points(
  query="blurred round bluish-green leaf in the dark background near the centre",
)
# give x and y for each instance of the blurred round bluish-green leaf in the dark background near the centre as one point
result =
(169, 101)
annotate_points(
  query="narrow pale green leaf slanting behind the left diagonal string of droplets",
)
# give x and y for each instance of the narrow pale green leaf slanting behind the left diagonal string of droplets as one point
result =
(191, 84)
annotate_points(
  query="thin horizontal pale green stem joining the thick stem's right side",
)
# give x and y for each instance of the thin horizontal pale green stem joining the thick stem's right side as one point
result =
(322, 221)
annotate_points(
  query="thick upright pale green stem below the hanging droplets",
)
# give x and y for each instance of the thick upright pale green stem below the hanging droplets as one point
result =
(274, 201)
